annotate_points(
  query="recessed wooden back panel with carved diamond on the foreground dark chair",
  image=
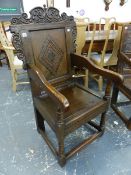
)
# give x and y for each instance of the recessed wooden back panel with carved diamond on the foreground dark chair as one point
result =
(48, 51)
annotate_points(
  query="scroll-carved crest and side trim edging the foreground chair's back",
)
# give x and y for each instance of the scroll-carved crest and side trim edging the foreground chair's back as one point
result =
(41, 15)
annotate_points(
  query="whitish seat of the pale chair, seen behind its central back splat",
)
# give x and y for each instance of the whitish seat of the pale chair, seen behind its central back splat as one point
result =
(95, 57)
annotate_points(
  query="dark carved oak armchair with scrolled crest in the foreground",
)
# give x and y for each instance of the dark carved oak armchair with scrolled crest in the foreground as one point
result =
(46, 43)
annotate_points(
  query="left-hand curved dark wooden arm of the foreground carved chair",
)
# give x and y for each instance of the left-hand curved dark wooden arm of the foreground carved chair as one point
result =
(38, 77)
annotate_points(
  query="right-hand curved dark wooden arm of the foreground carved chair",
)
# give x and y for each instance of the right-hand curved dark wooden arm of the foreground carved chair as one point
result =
(84, 62)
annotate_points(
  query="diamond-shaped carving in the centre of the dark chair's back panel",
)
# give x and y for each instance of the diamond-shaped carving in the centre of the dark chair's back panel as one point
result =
(50, 55)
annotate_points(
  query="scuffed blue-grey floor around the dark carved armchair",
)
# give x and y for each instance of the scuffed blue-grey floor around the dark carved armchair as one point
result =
(23, 151)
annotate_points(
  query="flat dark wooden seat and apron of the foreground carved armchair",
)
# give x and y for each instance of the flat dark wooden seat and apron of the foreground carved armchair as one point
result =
(82, 103)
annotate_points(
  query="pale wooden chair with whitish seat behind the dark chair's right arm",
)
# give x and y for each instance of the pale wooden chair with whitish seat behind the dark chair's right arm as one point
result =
(105, 59)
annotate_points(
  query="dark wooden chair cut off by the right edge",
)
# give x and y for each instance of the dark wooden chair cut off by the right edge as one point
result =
(124, 68)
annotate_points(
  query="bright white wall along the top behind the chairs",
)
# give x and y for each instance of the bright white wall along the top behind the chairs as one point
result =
(94, 9)
